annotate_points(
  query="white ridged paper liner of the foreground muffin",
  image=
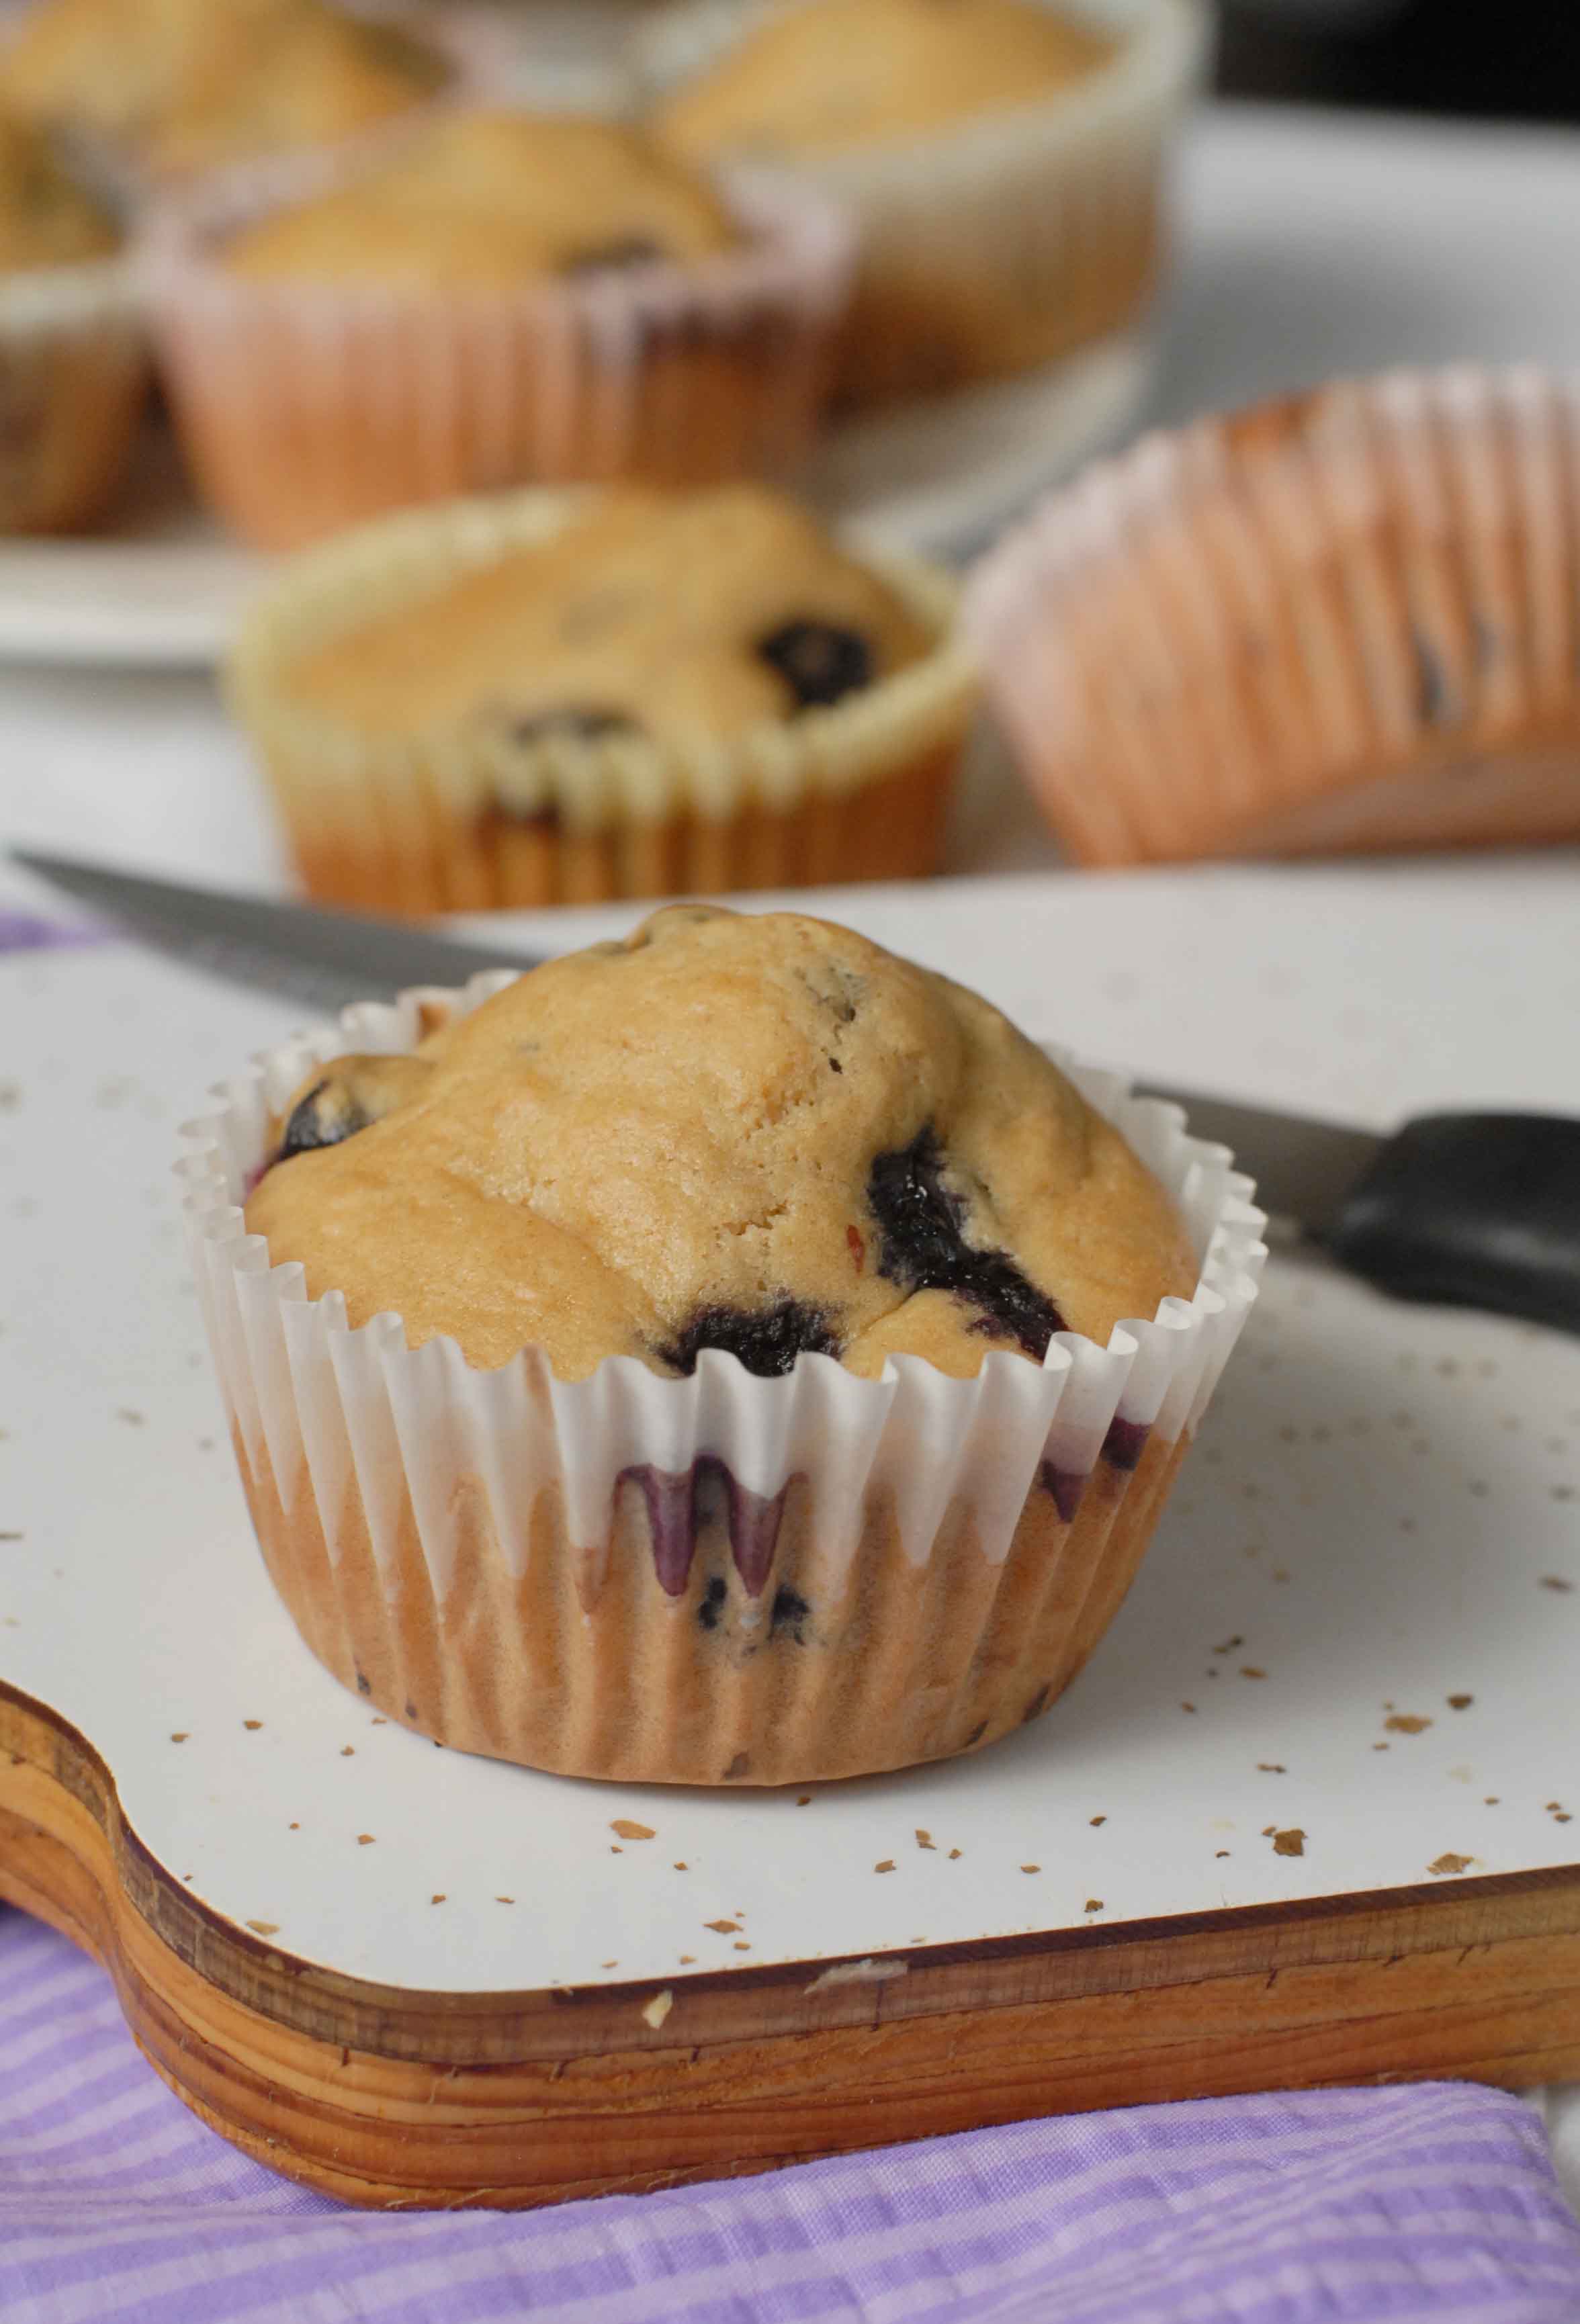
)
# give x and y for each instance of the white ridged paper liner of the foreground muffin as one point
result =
(719, 1579)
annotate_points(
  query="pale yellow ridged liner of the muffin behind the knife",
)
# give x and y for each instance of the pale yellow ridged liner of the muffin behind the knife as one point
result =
(471, 819)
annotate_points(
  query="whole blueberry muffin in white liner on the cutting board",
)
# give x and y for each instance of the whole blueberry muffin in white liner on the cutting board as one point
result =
(854, 1523)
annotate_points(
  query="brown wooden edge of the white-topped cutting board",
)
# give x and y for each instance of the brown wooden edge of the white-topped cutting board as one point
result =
(433, 2100)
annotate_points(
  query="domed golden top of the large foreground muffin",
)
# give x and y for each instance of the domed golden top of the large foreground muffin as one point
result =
(747, 1133)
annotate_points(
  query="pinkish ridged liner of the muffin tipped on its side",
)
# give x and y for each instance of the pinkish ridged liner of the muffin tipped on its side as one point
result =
(1349, 619)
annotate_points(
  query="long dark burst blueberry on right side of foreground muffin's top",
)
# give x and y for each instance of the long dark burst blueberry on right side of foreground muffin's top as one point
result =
(926, 1251)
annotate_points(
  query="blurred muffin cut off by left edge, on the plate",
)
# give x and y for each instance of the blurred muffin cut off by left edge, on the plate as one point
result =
(71, 345)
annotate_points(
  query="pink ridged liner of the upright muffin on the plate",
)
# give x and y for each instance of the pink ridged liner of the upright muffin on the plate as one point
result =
(310, 406)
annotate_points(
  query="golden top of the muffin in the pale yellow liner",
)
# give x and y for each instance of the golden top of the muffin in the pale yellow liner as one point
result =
(680, 617)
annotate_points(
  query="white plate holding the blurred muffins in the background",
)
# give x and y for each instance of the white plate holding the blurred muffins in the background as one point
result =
(166, 587)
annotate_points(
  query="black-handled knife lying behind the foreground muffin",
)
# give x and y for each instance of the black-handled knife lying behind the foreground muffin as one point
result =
(1477, 1210)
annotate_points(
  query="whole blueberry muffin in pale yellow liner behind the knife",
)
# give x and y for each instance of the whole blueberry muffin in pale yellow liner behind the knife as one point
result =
(622, 694)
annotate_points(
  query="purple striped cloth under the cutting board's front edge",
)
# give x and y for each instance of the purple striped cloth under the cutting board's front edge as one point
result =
(1346, 2207)
